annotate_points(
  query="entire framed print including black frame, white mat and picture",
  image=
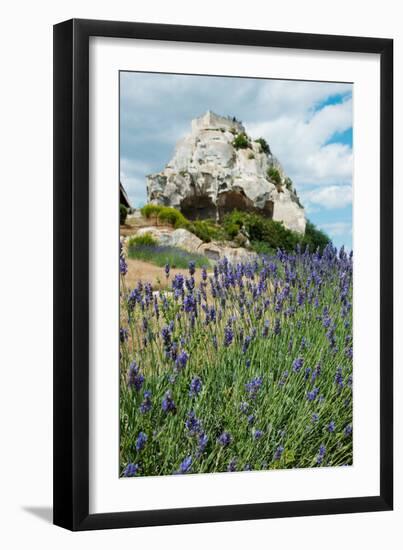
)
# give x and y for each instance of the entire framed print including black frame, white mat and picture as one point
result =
(223, 215)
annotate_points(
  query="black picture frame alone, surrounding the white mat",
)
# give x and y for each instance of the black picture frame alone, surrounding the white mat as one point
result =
(71, 274)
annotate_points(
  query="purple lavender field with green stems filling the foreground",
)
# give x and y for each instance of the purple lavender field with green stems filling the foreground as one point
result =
(248, 369)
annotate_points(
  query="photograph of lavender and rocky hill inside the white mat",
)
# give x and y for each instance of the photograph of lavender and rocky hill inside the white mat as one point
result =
(236, 274)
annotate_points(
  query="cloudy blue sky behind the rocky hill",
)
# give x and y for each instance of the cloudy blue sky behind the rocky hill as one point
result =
(308, 126)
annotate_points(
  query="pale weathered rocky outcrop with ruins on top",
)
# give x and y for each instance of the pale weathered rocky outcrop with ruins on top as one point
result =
(210, 175)
